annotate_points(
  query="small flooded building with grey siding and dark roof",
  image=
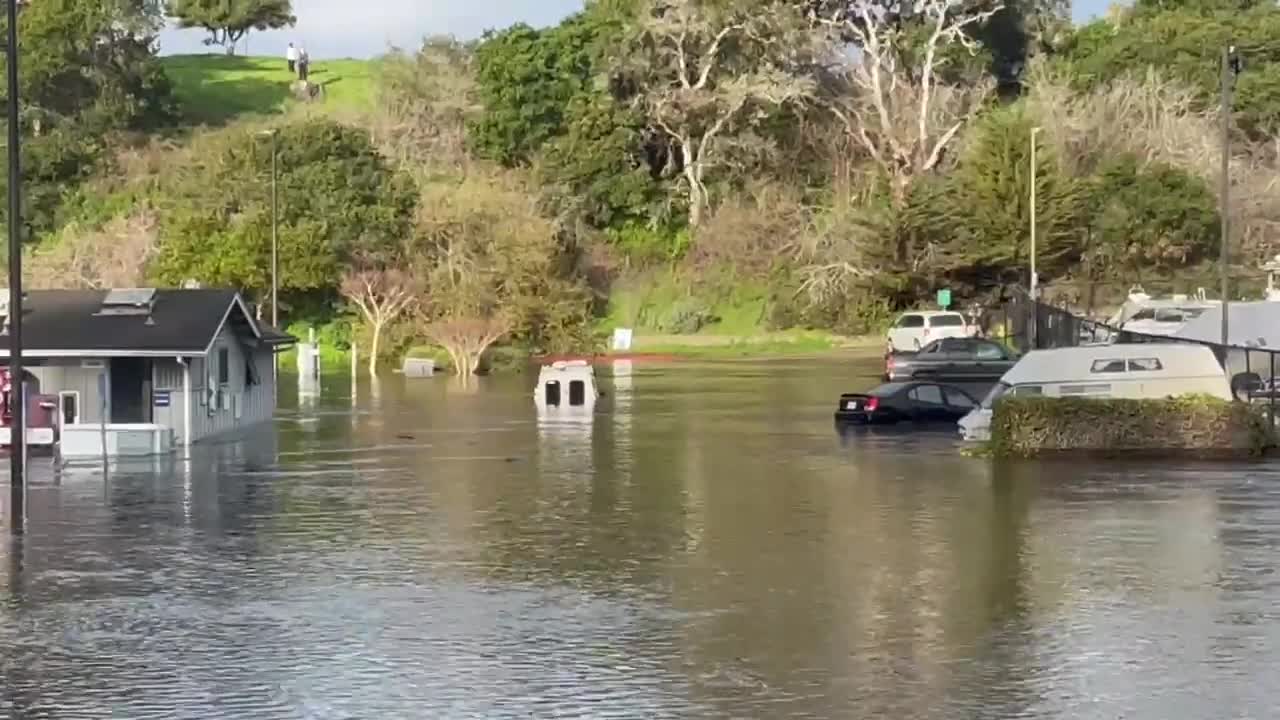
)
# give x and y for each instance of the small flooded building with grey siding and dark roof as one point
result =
(153, 368)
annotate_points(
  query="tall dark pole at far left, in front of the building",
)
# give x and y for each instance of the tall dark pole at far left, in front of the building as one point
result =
(17, 395)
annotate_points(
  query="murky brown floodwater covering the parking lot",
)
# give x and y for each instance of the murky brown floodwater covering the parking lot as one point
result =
(707, 548)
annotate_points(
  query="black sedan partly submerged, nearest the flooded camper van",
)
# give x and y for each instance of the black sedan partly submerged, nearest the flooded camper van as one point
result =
(906, 403)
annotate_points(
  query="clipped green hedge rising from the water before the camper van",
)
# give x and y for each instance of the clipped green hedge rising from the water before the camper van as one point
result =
(1197, 425)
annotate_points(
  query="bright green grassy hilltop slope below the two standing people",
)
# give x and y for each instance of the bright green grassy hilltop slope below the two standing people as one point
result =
(217, 89)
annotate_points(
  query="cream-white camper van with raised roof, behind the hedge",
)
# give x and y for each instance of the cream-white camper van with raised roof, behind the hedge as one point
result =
(1144, 371)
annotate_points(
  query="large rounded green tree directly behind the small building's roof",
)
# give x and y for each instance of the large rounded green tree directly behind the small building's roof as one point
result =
(337, 198)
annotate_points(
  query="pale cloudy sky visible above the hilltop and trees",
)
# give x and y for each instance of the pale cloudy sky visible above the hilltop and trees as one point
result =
(364, 29)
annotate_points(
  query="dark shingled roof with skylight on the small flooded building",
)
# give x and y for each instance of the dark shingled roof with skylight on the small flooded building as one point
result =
(181, 322)
